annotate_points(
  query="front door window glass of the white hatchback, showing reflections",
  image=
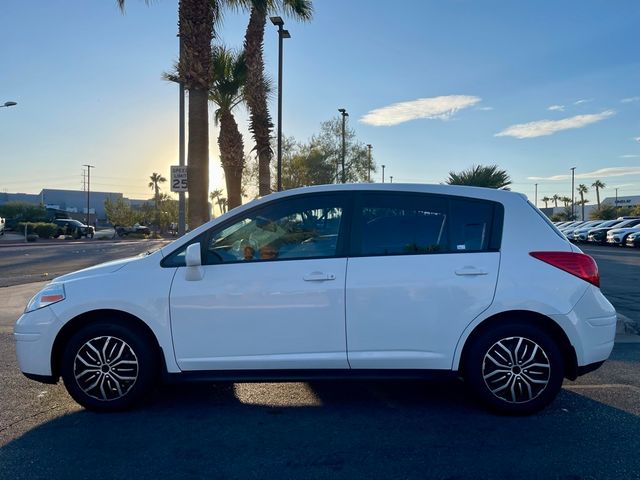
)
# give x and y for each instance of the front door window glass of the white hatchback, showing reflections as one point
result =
(305, 227)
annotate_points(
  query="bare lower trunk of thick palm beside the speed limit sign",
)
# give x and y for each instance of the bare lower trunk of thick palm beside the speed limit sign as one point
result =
(198, 157)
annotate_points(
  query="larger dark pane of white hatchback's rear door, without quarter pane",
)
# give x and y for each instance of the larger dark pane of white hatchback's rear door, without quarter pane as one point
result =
(401, 224)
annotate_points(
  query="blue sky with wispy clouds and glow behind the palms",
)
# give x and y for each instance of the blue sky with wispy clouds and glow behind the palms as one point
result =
(536, 87)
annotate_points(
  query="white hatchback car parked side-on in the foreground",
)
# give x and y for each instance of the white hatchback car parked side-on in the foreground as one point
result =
(339, 281)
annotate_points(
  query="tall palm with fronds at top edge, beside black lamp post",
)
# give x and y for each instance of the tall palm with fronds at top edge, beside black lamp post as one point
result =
(256, 87)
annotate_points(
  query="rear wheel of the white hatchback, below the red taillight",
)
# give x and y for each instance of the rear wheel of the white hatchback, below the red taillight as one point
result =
(508, 386)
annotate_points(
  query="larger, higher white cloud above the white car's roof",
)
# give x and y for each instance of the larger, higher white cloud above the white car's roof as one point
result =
(435, 107)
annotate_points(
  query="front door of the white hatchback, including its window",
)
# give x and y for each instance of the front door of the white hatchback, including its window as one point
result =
(271, 293)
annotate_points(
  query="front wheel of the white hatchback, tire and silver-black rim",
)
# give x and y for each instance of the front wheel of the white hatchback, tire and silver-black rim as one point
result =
(116, 378)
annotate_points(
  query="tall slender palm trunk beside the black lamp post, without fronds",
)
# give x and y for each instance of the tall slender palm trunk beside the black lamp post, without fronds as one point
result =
(260, 123)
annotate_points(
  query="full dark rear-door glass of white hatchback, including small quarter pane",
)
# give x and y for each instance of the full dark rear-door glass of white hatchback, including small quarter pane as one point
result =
(411, 224)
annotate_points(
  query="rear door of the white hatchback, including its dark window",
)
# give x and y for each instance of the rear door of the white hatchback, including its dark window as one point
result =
(422, 267)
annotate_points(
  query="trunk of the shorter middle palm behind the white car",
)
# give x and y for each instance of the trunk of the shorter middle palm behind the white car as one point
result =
(232, 157)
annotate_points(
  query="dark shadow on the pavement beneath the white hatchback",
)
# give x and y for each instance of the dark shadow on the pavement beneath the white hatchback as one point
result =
(367, 429)
